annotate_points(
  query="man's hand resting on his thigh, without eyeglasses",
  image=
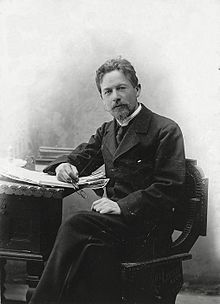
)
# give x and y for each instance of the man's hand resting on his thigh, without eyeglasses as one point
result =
(105, 205)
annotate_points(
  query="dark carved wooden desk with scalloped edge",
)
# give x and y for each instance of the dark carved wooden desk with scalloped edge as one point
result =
(30, 217)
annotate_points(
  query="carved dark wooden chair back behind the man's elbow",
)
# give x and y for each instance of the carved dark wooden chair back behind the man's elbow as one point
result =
(192, 220)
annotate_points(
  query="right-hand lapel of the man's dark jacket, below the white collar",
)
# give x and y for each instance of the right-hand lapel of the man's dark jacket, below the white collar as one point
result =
(132, 137)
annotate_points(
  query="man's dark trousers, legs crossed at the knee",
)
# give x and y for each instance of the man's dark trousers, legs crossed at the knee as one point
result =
(84, 265)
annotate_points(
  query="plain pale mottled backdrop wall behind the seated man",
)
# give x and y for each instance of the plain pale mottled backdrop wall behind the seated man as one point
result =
(49, 51)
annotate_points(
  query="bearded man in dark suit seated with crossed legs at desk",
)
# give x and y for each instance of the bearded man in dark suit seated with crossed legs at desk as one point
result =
(143, 154)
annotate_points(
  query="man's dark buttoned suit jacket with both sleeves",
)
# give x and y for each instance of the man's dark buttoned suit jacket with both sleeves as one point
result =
(146, 171)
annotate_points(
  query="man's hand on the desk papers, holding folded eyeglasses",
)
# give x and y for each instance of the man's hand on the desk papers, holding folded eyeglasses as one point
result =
(66, 172)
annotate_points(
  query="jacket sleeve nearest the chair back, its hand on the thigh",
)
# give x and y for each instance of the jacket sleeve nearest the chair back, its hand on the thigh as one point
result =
(166, 189)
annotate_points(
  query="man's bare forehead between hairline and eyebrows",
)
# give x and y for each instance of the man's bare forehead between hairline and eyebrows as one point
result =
(114, 78)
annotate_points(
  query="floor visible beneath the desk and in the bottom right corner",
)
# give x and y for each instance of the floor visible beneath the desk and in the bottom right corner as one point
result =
(17, 292)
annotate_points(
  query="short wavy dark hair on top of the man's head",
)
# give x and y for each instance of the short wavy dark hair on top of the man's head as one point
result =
(119, 64)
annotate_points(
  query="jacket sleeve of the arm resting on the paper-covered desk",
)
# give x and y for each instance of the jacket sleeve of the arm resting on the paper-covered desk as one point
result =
(87, 157)
